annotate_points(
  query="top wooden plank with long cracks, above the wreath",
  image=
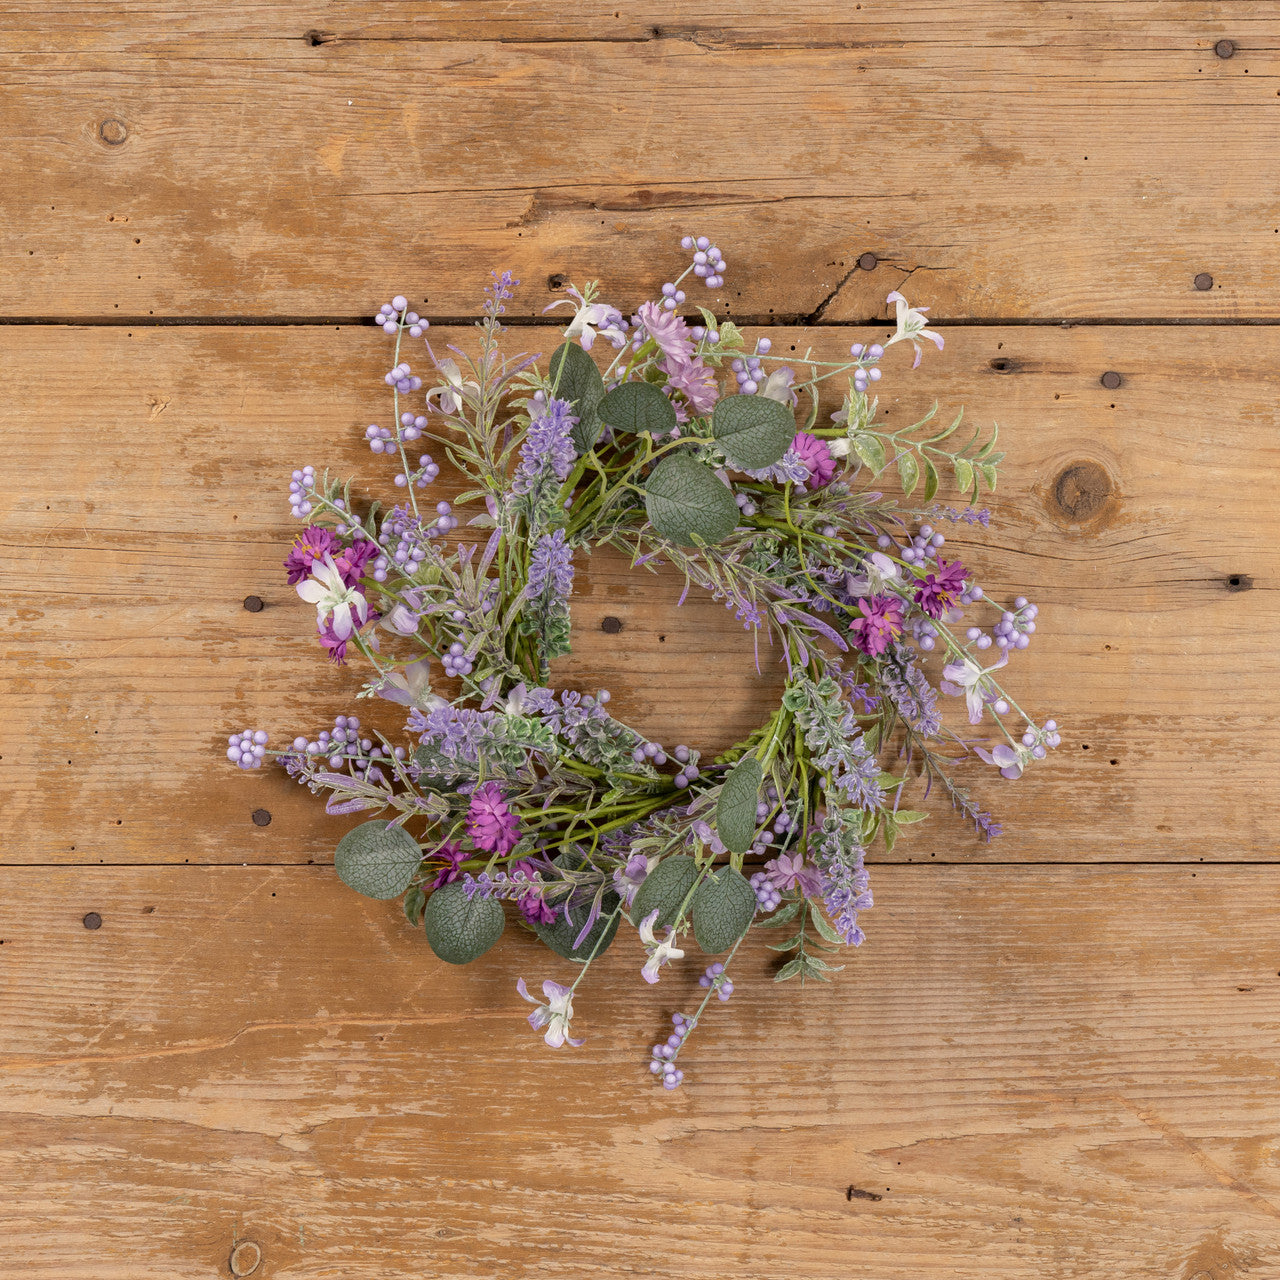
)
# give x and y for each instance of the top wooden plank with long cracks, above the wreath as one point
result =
(1017, 159)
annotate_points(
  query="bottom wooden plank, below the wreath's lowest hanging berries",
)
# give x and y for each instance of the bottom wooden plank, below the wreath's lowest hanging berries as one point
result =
(1068, 1072)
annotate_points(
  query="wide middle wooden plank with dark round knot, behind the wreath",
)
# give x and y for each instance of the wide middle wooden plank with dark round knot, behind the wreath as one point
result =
(129, 560)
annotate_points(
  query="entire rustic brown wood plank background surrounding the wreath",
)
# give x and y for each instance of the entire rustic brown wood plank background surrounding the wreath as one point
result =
(1055, 1058)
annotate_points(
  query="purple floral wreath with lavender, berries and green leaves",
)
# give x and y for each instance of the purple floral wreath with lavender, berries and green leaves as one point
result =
(515, 793)
